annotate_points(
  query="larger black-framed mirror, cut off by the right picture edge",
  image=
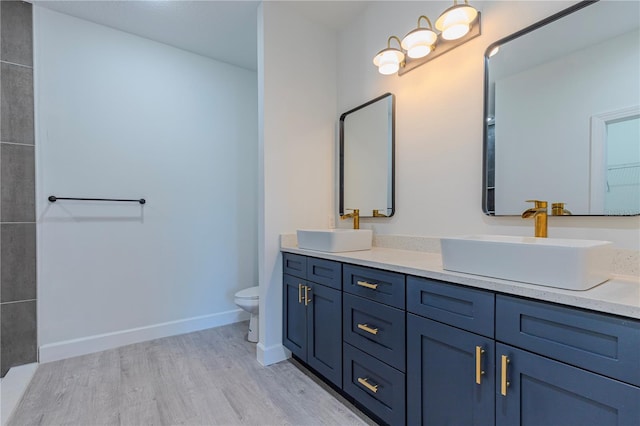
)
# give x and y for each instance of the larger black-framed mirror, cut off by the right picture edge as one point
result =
(562, 113)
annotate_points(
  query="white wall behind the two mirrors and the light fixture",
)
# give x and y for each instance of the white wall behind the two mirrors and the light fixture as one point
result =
(439, 125)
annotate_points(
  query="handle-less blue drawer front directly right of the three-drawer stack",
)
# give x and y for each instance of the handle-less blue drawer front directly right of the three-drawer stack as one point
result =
(466, 308)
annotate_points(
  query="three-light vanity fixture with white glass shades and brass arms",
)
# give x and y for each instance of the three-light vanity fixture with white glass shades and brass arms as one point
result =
(458, 24)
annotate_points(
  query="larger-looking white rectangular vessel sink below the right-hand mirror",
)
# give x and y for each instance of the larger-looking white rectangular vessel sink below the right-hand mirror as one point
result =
(552, 262)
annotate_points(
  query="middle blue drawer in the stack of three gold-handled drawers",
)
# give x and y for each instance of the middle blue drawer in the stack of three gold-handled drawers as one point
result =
(376, 329)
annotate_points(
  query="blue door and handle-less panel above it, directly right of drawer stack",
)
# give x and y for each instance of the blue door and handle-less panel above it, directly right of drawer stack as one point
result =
(451, 365)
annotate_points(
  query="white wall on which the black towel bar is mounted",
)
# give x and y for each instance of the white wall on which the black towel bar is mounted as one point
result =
(119, 116)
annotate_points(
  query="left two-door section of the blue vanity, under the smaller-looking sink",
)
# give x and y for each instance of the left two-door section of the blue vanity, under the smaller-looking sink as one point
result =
(312, 315)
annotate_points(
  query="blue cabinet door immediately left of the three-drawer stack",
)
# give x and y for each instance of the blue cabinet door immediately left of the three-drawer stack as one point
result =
(324, 332)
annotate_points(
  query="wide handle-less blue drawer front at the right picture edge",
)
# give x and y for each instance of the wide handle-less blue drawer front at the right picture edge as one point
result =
(597, 342)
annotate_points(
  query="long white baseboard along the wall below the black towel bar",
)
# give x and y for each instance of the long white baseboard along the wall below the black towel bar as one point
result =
(101, 342)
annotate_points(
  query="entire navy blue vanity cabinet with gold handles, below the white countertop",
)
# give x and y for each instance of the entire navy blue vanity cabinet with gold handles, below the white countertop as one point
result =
(418, 351)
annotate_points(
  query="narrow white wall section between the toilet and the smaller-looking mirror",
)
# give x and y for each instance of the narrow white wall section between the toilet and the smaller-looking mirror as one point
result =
(298, 116)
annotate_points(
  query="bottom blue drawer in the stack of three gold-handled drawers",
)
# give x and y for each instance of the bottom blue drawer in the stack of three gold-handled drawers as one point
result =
(380, 388)
